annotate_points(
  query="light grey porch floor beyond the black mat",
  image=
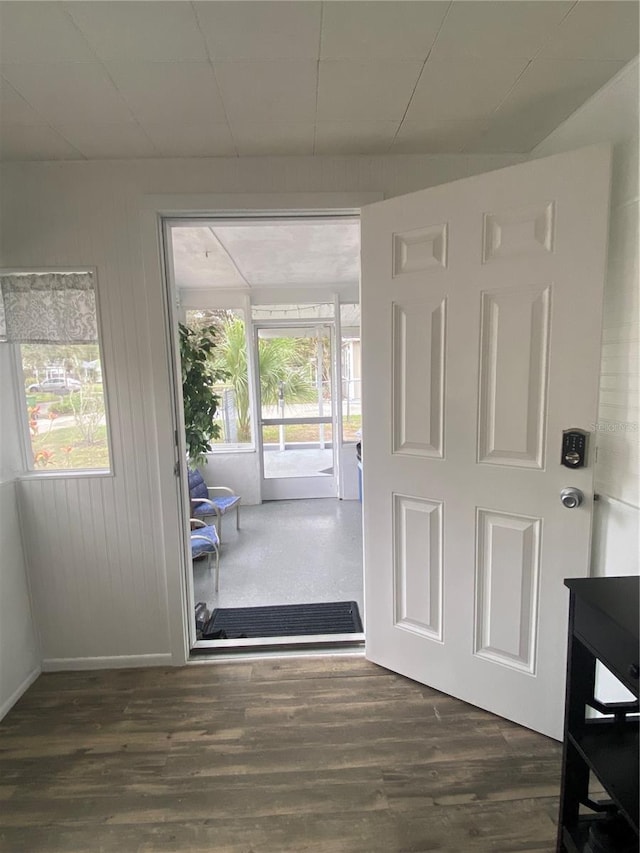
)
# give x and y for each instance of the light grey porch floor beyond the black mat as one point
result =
(288, 552)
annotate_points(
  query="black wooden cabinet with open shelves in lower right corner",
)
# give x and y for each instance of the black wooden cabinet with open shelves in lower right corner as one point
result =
(603, 626)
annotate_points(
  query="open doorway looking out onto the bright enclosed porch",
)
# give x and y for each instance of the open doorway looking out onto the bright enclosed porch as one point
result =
(283, 295)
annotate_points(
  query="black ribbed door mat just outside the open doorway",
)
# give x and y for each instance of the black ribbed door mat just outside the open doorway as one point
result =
(283, 620)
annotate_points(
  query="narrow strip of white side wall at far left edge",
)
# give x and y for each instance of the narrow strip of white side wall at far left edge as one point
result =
(19, 652)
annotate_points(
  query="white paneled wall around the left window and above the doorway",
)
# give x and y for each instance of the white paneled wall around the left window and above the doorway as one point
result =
(105, 582)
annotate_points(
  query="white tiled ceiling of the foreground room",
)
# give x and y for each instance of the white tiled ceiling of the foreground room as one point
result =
(103, 80)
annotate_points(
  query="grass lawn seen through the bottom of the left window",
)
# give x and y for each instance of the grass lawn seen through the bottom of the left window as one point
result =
(64, 449)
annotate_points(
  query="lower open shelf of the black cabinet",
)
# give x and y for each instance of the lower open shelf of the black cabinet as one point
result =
(611, 751)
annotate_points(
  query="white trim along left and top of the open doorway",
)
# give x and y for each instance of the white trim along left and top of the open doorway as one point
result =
(168, 437)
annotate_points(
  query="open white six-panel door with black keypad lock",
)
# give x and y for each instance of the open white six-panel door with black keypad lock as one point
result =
(481, 318)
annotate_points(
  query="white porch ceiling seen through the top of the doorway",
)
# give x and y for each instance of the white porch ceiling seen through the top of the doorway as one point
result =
(287, 253)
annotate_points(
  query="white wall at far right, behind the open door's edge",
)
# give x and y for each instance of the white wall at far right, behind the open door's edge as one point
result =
(611, 115)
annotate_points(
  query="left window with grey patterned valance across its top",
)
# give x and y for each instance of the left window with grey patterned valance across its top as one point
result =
(51, 318)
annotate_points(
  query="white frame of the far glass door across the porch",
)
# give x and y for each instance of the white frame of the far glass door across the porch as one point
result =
(269, 489)
